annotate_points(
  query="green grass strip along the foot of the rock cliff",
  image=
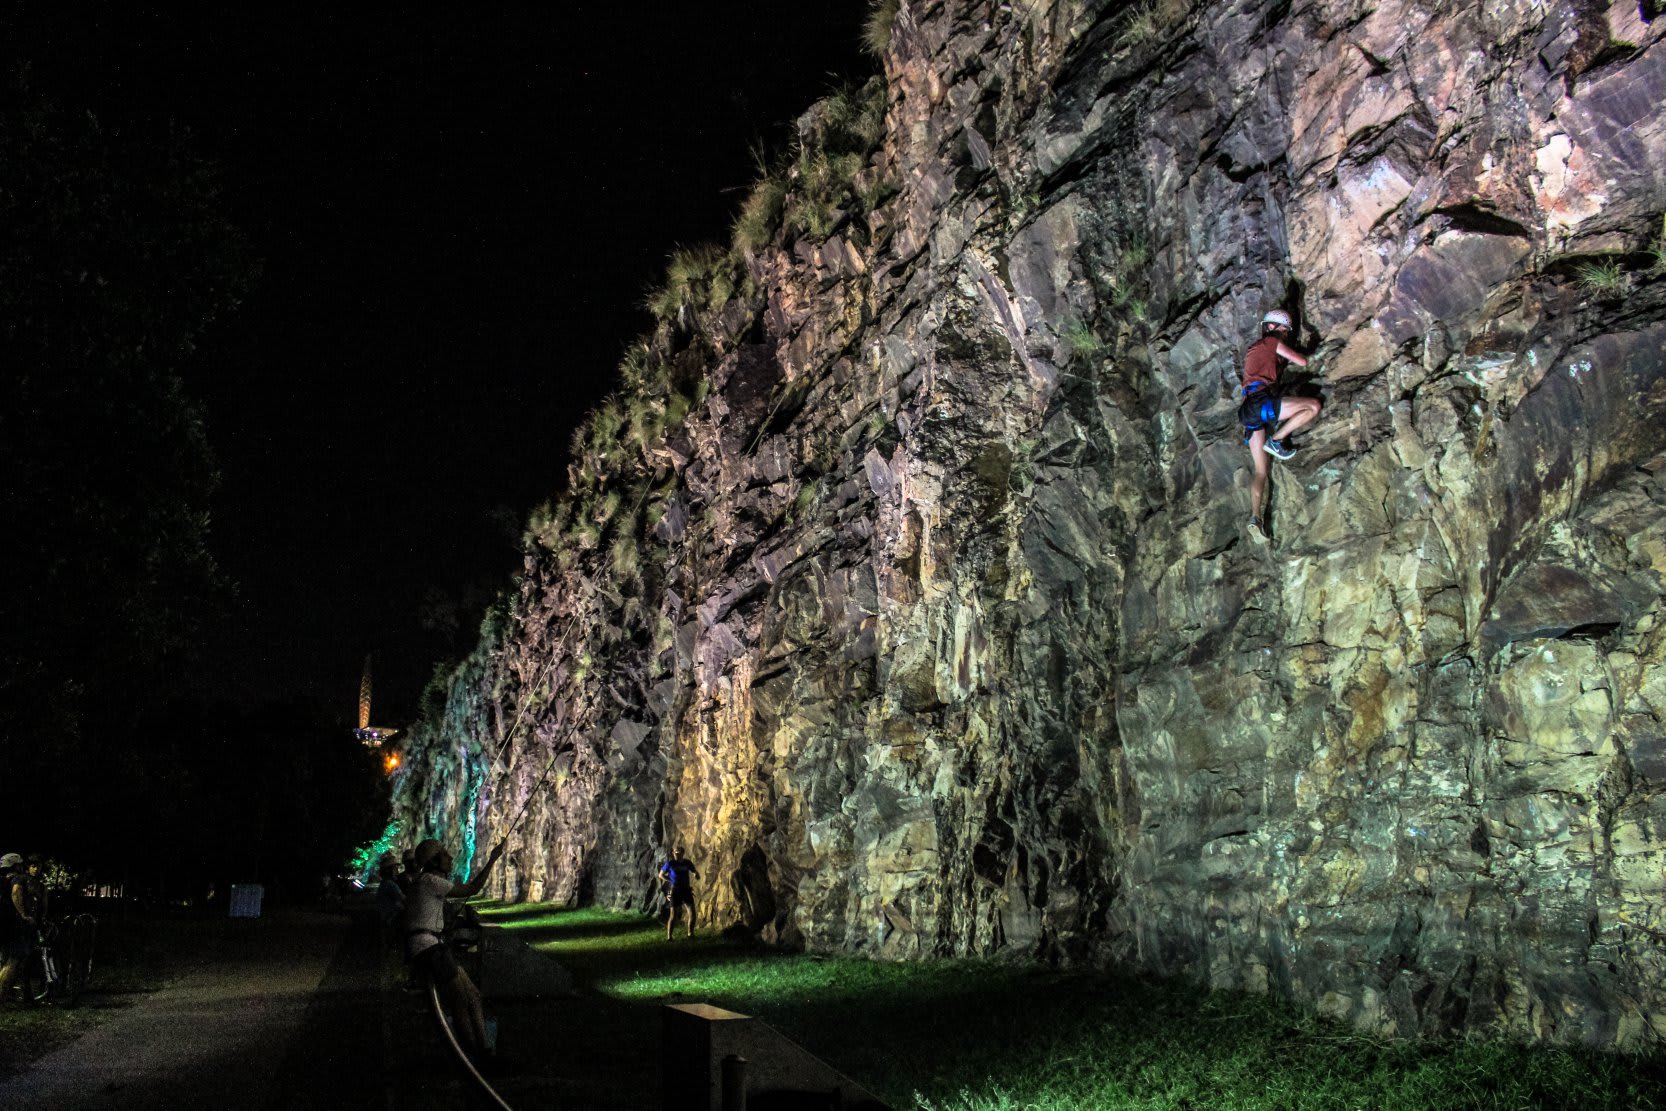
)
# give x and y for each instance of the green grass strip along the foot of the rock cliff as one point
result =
(969, 1035)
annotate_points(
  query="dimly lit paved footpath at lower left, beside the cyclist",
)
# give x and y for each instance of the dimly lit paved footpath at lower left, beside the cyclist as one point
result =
(272, 1014)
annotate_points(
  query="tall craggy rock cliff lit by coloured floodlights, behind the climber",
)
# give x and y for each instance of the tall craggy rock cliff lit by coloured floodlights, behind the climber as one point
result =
(949, 635)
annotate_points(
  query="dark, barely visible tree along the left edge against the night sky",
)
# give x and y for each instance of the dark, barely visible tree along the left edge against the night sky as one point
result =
(114, 259)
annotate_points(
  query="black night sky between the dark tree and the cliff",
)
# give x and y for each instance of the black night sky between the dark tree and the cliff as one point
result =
(457, 214)
